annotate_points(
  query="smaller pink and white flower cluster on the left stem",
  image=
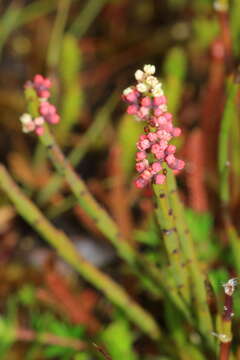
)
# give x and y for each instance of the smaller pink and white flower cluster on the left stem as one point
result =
(47, 111)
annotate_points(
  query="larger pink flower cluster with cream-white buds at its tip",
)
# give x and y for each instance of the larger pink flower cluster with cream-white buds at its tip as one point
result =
(146, 101)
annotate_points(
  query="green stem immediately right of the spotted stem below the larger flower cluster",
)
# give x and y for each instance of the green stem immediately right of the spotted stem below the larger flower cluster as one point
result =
(185, 237)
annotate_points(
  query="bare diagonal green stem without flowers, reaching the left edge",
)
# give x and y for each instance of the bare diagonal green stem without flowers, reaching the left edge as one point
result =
(67, 251)
